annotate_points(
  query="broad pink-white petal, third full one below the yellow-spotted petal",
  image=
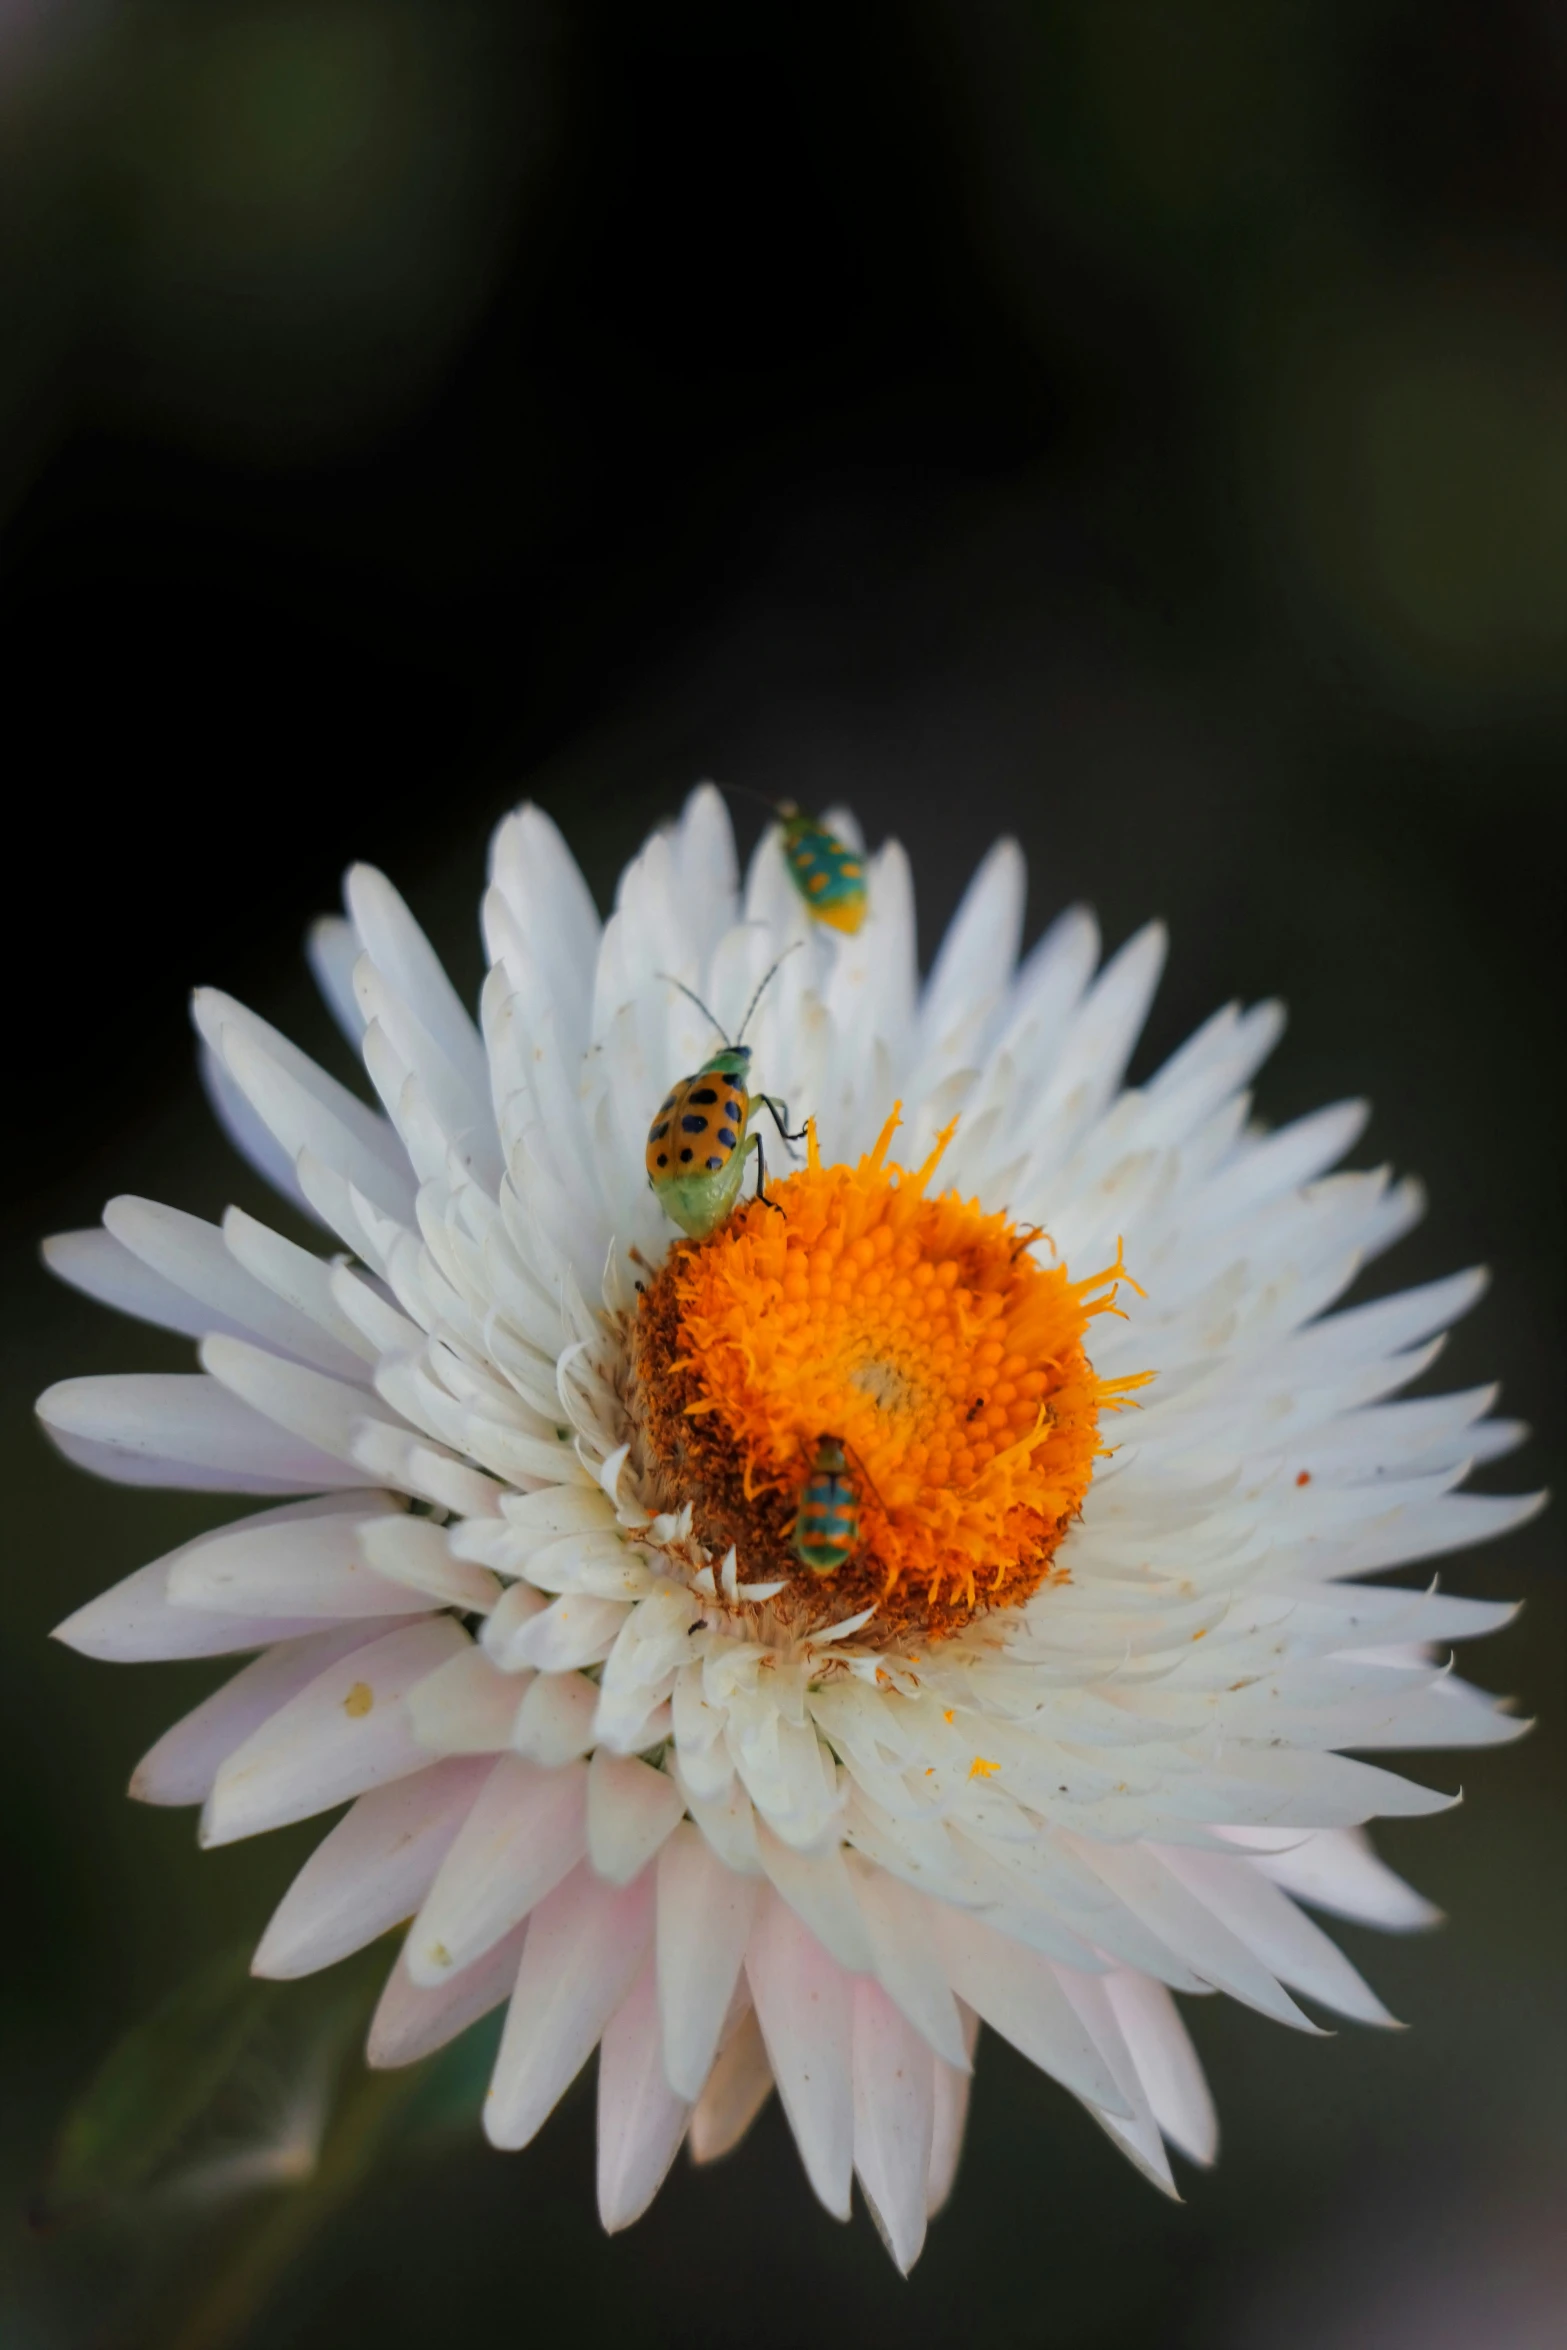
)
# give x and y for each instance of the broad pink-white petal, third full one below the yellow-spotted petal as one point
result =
(584, 1952)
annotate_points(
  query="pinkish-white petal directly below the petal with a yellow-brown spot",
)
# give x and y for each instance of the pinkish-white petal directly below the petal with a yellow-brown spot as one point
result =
(372, 1872)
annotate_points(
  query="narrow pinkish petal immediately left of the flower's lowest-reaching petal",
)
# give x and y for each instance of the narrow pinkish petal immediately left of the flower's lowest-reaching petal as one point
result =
(805, 2006)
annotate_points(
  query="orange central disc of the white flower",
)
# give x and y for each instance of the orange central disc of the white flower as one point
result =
(922, 1336)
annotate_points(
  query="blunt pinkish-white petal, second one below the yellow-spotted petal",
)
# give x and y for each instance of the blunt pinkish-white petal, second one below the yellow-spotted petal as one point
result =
(525, 1832)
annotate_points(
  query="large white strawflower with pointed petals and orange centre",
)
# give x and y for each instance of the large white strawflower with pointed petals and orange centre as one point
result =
(1061, 1738)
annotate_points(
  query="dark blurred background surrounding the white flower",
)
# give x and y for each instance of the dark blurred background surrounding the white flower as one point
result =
(1134, 427)
